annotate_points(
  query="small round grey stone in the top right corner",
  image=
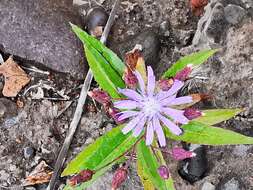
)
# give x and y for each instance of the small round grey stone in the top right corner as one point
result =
(234, 14)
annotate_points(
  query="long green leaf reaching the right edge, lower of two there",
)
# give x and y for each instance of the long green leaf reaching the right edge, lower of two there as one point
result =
(200, 133)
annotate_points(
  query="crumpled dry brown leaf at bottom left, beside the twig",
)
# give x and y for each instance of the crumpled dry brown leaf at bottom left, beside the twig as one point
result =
(41, 174)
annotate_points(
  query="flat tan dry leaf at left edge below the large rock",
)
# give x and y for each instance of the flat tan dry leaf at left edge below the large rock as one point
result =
(15, 78)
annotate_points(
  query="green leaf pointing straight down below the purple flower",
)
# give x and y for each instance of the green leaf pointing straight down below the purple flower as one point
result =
(150, 165)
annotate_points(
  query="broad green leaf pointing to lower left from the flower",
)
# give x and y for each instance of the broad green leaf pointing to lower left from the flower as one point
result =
(103, 151)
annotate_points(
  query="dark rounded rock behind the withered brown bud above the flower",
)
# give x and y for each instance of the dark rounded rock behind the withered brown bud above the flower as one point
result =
(150, 45)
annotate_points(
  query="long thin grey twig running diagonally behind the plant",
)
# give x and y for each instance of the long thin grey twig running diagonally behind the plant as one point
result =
(79, 109)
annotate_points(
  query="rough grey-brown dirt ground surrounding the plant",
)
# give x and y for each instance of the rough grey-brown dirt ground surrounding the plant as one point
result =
(35, 131)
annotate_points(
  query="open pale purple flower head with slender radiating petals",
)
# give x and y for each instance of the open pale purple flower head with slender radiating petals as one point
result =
(151, 108)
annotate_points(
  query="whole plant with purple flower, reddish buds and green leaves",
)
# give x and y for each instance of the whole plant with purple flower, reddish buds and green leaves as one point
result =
(147, 112)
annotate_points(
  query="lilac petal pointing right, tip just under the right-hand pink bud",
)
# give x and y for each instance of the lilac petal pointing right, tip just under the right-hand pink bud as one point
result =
(176, 115)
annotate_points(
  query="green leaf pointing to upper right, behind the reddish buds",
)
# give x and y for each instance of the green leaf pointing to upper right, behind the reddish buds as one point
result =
(195, 59)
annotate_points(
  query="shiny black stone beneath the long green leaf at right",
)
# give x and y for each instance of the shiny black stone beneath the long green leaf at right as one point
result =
(193, 169)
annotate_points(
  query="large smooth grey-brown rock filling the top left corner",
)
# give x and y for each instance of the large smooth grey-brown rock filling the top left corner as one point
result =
(40, 34)
